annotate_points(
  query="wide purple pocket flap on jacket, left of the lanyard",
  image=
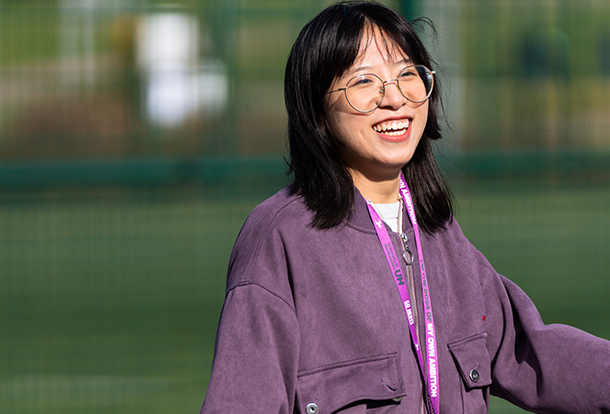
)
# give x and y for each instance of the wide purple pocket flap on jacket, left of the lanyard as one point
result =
(332, 388)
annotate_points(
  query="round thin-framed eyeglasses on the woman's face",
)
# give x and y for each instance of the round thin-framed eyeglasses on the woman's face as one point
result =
(365, 92)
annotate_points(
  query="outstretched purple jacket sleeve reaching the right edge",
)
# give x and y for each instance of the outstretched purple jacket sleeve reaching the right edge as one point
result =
(546, 368)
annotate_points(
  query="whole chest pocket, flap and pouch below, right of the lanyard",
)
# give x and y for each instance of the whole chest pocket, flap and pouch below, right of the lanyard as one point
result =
(474, 365)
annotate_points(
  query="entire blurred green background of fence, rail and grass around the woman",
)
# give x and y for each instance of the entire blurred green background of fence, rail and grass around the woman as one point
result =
(135, 137)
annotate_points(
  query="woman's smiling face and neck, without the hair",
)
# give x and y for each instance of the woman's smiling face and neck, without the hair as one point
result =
(376, 144)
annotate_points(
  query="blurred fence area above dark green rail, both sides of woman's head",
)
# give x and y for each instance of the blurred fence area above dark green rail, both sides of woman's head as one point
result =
(103, 79)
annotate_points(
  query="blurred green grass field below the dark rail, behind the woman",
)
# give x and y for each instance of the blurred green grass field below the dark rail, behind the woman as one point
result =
(109, 300)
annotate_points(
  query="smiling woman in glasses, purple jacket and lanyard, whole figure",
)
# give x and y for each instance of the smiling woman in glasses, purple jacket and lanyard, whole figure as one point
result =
(329, 309)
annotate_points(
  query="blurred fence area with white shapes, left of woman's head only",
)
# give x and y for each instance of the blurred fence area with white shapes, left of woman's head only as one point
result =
(91, 79)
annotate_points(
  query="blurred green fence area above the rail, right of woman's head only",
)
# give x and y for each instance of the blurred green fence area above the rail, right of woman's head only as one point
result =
(527, 74)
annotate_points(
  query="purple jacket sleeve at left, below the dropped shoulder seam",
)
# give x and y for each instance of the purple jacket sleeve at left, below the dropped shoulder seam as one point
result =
(256, 355)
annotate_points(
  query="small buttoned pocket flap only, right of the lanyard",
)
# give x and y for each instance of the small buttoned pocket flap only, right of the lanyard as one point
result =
(472, 360)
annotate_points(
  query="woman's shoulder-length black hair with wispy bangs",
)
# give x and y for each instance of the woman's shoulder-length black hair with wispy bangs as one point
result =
(326, 47)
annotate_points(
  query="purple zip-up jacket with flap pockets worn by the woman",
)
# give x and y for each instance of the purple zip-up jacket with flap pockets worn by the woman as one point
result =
(314, 317)
